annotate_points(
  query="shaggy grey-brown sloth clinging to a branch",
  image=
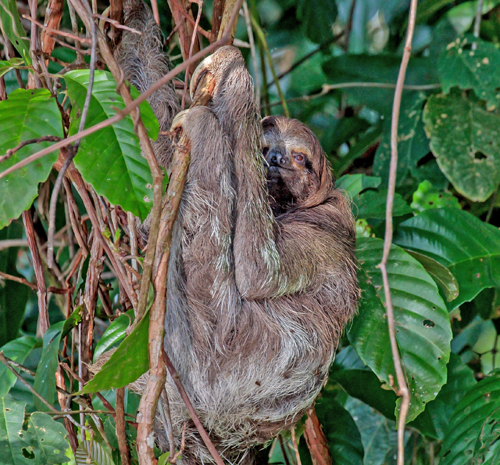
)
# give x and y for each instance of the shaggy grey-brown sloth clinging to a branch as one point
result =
(262, 273)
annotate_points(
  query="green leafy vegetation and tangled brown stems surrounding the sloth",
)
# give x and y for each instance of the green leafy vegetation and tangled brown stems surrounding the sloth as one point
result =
(333, 65)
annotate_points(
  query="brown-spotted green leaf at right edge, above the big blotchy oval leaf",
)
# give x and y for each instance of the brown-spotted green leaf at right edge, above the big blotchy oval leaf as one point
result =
(462, 66)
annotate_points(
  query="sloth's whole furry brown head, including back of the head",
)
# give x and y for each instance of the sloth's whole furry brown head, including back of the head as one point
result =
(298, 174)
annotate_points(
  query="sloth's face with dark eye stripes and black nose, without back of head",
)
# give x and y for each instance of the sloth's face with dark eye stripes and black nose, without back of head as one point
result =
(289, 159)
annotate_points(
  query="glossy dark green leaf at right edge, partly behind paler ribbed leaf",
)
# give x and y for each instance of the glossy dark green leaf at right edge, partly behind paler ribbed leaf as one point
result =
(469, 248)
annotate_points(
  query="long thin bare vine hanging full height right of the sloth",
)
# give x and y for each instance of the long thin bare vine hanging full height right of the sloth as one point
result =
(402, 389)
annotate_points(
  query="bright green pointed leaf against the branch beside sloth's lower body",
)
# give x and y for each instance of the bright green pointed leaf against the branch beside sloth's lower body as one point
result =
(127, 363)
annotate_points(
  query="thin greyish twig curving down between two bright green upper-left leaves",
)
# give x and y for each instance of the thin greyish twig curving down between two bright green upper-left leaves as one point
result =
(71, 153)
